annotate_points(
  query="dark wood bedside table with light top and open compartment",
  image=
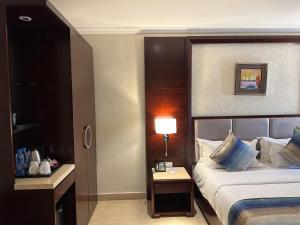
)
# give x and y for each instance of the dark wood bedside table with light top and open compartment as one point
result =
(172, 193)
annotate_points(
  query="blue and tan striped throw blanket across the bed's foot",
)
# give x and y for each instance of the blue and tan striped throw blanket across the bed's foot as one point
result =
(266, 211)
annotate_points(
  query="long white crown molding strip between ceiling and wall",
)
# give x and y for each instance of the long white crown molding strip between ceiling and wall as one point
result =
(187, 30)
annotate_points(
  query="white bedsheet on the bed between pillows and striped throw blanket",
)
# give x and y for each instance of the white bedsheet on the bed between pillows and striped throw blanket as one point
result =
(222, 189)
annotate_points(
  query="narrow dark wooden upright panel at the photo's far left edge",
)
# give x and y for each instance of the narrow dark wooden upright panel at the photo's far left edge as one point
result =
(6, 165)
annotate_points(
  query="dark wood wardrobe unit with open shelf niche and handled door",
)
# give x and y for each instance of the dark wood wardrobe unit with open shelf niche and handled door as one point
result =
(46, 78)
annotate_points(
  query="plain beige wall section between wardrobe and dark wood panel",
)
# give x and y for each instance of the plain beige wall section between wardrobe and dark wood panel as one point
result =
(119, 88)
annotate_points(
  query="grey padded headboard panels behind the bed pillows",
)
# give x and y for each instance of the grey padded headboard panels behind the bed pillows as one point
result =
(245, 128)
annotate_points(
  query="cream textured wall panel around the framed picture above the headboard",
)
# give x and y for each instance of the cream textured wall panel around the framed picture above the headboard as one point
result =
(213, 75)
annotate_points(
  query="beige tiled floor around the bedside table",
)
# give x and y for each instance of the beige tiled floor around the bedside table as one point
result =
(134, 212)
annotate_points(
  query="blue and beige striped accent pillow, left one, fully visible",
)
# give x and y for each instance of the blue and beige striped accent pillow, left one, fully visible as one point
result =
(234, 154)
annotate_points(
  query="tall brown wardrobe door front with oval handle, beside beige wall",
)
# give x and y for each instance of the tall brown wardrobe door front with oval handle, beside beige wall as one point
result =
(83, 115)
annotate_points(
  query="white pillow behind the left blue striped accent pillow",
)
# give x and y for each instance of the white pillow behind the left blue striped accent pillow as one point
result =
(208, 147)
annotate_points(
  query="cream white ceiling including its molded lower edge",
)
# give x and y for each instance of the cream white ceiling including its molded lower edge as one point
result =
(127, 16)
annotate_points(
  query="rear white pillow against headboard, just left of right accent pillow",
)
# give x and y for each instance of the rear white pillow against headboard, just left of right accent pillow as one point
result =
(265, 143)
